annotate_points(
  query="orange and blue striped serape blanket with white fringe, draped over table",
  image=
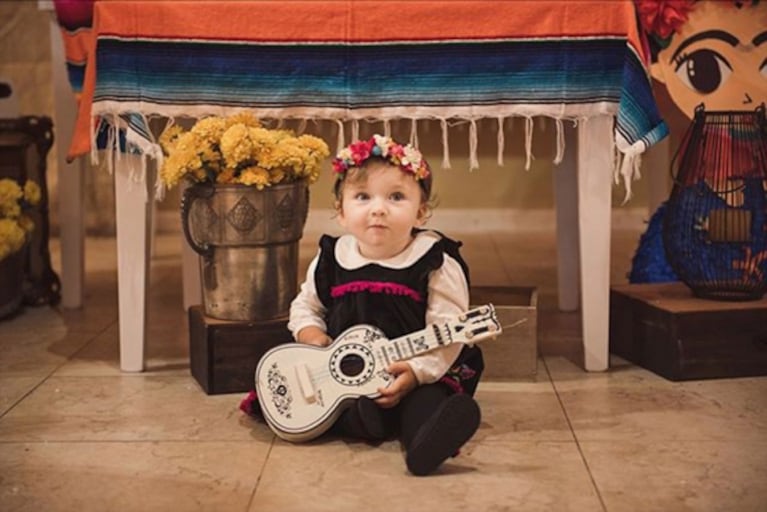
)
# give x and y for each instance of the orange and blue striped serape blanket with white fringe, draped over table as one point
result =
(357, 60)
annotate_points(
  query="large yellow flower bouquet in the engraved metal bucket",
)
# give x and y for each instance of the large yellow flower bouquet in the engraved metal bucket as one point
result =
(238, 149)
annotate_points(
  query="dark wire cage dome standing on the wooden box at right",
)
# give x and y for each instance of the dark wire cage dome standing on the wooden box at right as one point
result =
(714, 230)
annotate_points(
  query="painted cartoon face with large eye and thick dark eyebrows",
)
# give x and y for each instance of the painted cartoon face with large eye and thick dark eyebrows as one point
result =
(718, 58)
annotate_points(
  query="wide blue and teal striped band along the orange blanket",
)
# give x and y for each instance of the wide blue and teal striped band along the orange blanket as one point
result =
(362, 75)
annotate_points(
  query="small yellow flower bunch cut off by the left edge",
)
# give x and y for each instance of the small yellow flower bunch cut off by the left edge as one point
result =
(15, 225)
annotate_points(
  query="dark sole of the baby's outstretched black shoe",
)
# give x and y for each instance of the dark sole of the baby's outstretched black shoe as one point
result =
(452, 424)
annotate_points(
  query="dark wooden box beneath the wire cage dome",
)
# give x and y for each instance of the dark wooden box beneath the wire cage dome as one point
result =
(665, 329)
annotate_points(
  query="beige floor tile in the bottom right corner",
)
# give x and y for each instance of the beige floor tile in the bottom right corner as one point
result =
(680, 476)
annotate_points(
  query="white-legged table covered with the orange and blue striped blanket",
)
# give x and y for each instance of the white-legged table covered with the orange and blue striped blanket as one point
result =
(358, 59)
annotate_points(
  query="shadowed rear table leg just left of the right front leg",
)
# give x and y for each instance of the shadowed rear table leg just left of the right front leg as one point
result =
(566, 202)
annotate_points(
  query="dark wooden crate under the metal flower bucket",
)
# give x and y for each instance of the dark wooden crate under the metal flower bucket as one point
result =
(224, 354)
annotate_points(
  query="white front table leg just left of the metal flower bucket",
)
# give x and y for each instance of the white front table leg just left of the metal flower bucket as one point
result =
(133, 203)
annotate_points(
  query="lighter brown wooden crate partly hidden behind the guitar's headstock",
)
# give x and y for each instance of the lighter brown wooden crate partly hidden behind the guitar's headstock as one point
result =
(514, 354)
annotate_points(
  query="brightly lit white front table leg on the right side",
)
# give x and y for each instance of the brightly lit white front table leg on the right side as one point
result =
(595, 167)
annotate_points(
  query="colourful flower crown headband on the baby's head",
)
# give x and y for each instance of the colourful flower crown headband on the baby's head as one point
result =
(407, 158)
